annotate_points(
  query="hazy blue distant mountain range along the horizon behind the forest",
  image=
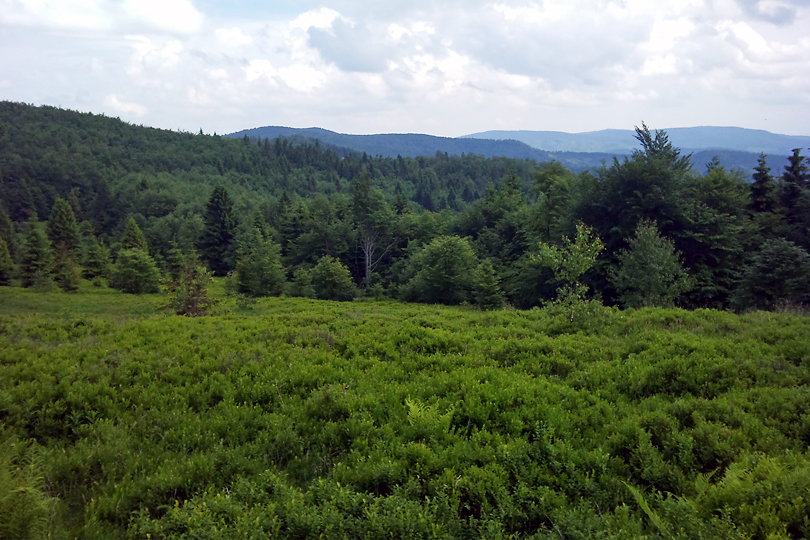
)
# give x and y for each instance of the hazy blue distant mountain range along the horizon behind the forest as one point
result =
(734, 147)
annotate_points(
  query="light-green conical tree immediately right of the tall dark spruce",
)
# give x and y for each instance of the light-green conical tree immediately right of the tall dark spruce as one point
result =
(258, 270)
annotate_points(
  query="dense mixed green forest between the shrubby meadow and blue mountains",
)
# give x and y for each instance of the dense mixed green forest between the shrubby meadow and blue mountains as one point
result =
(86, 195)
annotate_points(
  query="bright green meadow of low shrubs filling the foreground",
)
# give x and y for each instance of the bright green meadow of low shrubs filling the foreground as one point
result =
(297, 418)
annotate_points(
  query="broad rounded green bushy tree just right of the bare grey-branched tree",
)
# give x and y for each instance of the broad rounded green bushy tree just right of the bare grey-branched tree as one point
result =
(442, 271)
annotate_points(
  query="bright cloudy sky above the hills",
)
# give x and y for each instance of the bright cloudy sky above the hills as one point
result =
(448, 67)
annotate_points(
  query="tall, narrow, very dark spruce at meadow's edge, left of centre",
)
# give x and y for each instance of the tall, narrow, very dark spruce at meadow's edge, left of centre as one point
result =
(217, 244)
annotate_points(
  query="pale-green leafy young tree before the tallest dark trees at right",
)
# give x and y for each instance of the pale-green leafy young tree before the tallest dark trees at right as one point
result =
(650, 271)
